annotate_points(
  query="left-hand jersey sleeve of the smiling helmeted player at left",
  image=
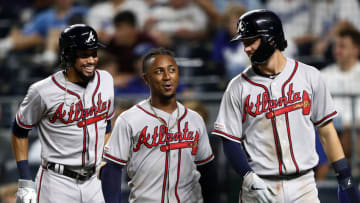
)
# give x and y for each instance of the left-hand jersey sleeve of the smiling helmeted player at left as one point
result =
(31, 109)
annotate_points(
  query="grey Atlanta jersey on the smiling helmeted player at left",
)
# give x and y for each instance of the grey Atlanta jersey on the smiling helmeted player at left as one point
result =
(71, 119)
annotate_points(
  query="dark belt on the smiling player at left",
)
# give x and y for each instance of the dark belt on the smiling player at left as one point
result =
(64, 170)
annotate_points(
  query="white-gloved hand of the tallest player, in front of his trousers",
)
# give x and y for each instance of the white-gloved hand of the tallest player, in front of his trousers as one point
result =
(254, 189)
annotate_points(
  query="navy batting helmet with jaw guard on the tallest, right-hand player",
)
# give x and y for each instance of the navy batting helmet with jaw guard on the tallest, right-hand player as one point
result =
(266, 25)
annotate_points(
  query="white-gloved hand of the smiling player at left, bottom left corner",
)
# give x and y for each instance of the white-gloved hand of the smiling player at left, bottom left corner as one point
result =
(26, 192)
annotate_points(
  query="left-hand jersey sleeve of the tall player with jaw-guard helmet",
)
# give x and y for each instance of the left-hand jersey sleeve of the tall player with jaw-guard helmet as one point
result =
(229, 123)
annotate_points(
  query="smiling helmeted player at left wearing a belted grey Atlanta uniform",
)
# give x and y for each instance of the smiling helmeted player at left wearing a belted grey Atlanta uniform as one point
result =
(72, 110)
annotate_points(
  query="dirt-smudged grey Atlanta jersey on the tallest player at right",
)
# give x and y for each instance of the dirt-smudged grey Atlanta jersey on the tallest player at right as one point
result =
(274, 119)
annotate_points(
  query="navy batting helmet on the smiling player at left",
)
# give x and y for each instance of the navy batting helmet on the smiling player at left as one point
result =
(76, 37)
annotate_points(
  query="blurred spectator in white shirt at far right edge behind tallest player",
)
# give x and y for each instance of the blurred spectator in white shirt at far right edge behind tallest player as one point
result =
(343, 77)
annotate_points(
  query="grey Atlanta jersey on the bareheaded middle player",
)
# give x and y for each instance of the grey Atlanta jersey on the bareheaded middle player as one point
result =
(160, 164)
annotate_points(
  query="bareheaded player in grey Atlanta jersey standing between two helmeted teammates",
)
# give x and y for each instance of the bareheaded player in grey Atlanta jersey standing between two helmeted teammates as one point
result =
(161, 142)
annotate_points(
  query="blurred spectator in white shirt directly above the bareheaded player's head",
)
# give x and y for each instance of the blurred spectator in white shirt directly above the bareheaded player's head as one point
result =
(177, 24)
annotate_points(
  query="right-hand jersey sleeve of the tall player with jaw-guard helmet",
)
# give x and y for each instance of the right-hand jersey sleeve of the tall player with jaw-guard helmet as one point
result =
(322, 107)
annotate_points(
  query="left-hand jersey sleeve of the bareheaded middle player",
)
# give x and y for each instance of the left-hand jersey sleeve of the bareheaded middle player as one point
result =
(118, 146)
